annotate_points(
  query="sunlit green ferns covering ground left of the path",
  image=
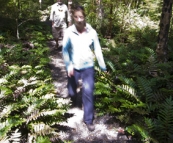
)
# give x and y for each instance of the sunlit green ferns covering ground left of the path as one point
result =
(29, 107)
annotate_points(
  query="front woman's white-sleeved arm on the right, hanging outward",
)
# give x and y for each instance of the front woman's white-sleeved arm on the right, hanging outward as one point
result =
(98, 53)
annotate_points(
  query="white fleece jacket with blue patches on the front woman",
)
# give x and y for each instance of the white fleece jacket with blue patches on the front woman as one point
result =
(79, 49)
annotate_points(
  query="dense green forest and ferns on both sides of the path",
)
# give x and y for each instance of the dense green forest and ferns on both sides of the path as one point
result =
(136, 38)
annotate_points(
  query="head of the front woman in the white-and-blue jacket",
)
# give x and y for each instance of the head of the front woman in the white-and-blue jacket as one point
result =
(78, 15)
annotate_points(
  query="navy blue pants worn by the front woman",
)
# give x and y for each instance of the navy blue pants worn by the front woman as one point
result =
(87, 76)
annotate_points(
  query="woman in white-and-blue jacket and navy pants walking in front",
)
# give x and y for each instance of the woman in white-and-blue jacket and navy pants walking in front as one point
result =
(79, 43)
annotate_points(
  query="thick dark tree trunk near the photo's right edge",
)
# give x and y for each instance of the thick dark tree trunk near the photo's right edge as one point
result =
(162, 44)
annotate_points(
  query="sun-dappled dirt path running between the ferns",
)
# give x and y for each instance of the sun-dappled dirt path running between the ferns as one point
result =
(74, 129)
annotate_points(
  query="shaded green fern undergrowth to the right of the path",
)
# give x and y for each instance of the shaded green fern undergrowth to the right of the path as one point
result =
(137, 88)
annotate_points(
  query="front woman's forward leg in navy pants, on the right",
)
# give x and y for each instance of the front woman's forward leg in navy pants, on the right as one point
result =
(87, 95)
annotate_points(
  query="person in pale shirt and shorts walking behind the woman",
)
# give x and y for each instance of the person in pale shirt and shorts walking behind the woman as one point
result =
(60, 18)
